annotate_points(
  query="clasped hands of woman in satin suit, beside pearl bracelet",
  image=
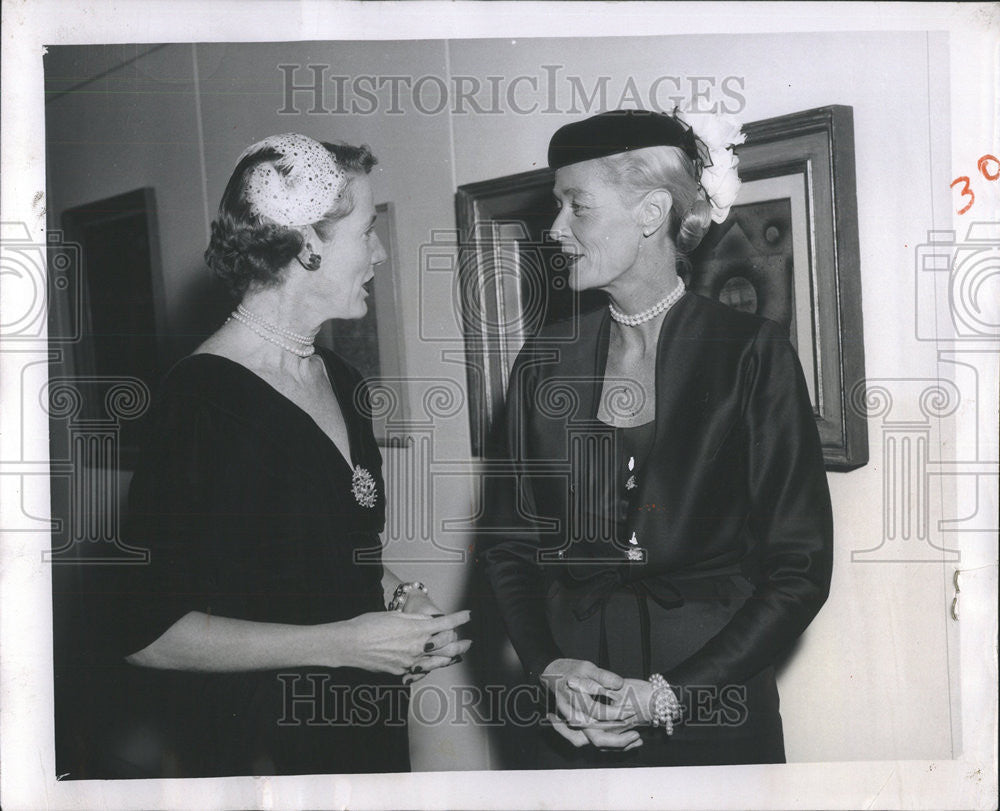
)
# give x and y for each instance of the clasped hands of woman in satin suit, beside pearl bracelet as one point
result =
(596, 706)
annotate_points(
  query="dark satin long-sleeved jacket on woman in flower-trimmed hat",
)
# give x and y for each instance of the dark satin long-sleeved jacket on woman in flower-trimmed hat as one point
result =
(733, 482)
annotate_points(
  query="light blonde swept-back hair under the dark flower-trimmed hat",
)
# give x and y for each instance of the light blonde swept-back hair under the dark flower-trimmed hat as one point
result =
(640, 171)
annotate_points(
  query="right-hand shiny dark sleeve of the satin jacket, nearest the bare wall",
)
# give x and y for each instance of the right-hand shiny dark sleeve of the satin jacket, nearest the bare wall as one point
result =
(790, 519)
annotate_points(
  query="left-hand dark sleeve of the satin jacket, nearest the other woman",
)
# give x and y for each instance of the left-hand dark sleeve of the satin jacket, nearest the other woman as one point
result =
(512, 566)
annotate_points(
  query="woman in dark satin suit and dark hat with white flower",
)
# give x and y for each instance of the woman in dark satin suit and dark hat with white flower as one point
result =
(670, 522)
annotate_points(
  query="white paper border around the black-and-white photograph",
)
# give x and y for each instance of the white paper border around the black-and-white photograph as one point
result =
(26, 747)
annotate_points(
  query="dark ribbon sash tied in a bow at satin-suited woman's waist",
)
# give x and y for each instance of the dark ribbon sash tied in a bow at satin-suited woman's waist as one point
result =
(667, 592)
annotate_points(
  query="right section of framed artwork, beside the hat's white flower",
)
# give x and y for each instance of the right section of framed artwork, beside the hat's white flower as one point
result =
(789, 252)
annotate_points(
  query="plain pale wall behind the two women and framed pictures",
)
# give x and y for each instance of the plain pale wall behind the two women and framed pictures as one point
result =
(885, 626)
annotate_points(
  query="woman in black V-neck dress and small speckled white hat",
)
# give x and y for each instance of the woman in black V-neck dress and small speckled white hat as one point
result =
(257, 637)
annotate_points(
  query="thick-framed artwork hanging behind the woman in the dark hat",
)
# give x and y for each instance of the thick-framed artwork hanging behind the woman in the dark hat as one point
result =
(511, 280)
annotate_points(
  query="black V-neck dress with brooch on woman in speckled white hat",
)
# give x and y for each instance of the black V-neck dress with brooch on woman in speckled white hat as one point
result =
(248, 511)
